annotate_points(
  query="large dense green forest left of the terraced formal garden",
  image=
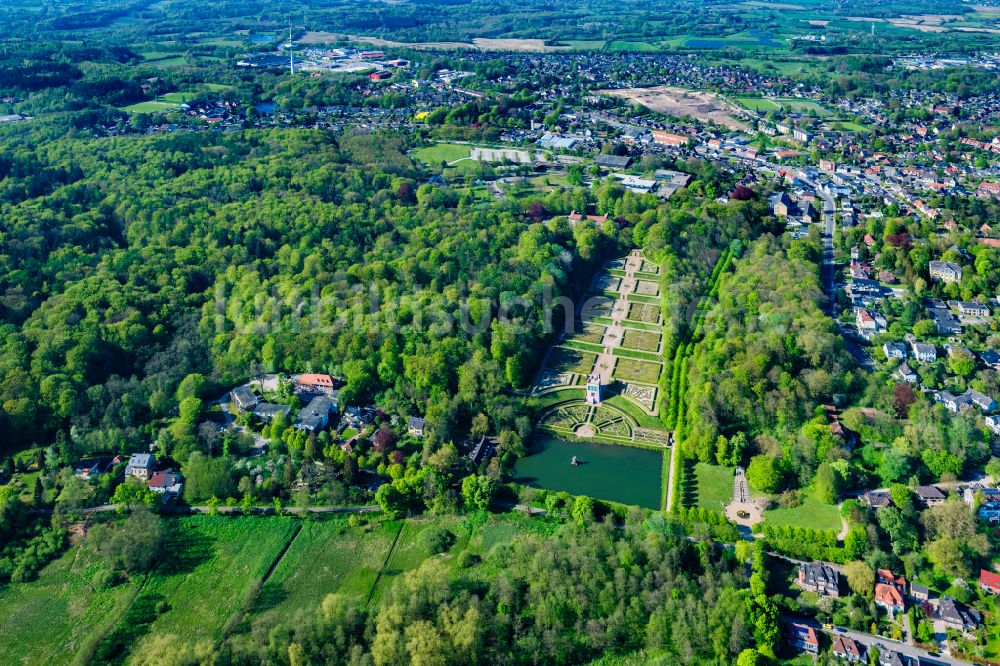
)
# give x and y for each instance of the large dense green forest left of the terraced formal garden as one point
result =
(129, 264)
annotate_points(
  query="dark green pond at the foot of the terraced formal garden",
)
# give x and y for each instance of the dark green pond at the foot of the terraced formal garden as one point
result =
(616, 473)
